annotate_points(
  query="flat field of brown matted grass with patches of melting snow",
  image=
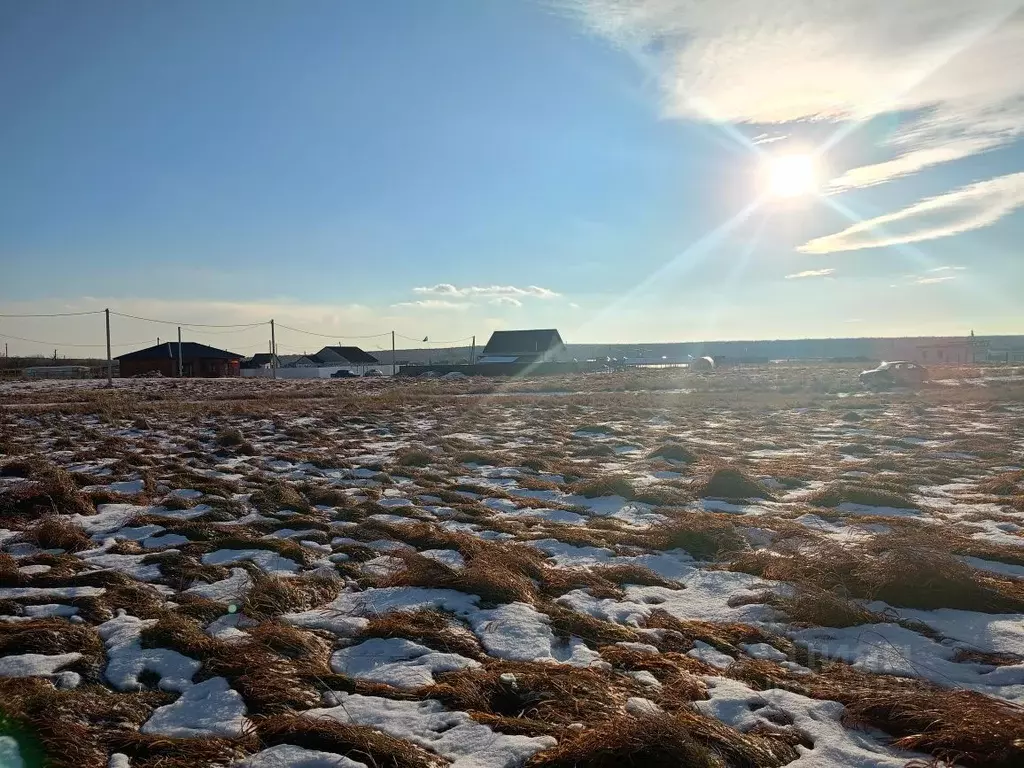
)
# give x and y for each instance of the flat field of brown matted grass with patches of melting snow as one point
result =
(751, 568)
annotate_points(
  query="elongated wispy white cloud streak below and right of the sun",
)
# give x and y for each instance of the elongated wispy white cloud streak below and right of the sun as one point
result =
(969, 208)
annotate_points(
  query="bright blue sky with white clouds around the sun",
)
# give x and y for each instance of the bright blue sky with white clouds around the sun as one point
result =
(452, 168)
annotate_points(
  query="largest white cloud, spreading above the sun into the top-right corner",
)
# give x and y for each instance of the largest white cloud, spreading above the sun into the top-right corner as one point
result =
(950, 73)
